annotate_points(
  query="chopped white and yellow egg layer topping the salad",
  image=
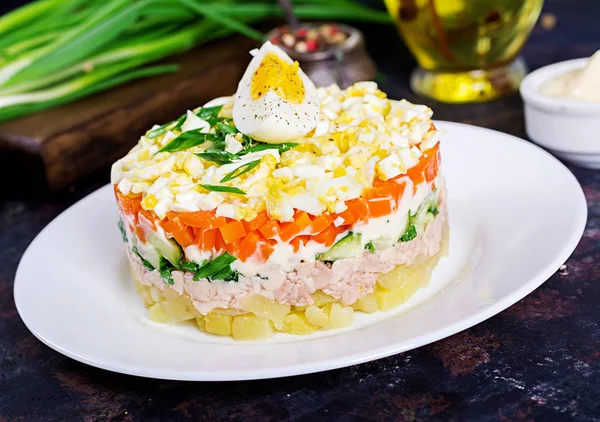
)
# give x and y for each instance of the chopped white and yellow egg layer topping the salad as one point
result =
(361, 136)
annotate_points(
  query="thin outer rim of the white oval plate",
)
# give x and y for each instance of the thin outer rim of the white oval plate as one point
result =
(332, 363)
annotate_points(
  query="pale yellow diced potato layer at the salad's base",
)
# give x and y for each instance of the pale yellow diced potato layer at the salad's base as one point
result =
(259, 317)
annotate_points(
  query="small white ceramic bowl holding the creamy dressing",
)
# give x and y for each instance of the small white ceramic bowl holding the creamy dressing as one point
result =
(570, 129)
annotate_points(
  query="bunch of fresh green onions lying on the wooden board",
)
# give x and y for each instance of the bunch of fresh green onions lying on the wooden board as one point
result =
(56, 51)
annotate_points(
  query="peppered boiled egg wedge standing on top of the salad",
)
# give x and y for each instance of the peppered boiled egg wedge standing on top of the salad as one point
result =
(275, 101)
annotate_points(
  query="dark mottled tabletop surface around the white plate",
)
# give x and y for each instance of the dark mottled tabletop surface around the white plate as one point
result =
(538, 360)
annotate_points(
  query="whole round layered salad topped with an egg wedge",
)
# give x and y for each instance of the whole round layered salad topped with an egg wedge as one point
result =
(283, 207)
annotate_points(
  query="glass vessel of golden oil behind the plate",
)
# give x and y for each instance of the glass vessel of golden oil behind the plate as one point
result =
(466, 49)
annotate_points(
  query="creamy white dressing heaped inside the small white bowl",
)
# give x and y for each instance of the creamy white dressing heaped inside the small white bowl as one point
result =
(578, 84)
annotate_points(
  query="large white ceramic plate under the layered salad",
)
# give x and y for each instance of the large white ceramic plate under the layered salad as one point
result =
(516, 214)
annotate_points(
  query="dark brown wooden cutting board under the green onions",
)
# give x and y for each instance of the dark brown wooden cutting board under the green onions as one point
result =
(53, 148)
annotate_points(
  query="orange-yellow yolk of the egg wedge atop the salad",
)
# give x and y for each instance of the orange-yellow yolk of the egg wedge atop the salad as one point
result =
(279, 76)
